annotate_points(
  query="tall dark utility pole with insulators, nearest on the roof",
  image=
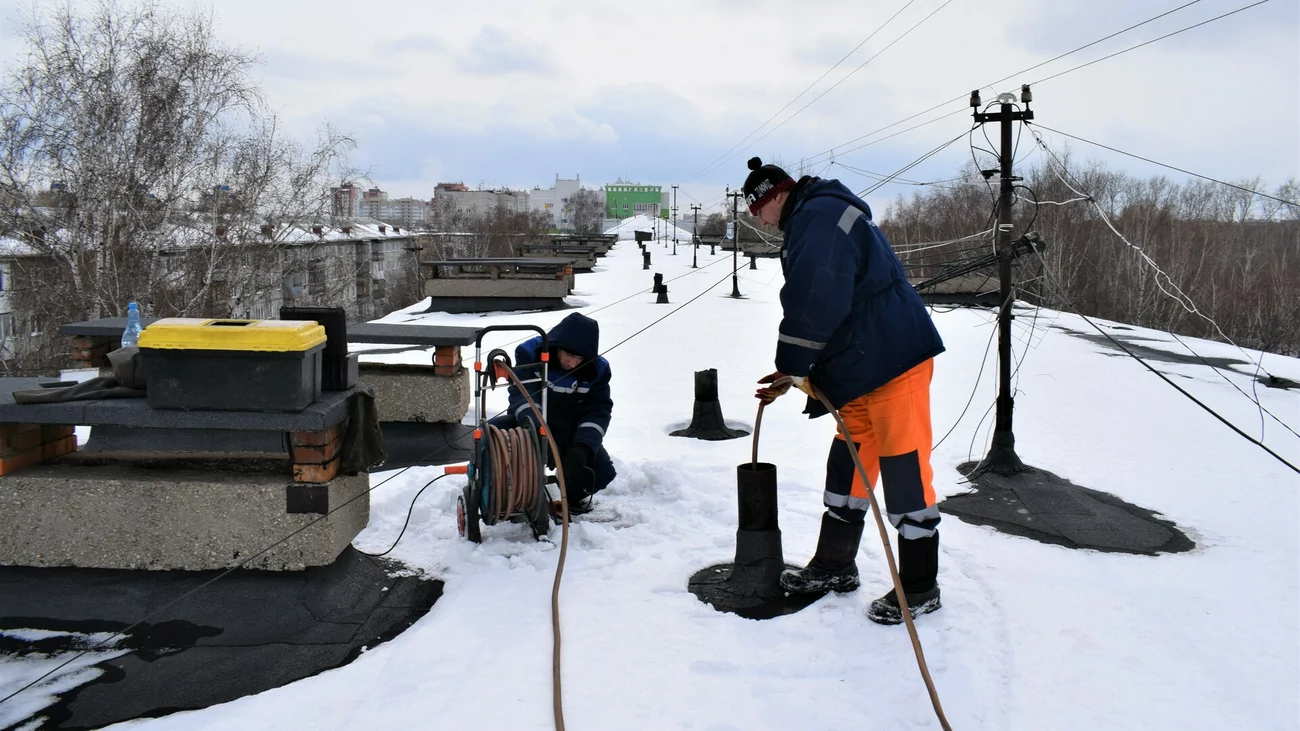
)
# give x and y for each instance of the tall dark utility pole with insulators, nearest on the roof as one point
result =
(1002, 457)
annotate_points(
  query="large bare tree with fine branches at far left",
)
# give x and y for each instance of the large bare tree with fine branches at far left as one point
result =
(140, 158)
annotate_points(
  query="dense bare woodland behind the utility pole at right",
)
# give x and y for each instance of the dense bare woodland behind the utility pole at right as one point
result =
(1230, 253)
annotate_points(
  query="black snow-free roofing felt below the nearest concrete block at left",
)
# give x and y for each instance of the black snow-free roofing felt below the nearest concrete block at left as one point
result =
(248, 633)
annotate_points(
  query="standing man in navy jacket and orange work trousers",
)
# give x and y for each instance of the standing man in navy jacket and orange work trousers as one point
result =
(855, 328)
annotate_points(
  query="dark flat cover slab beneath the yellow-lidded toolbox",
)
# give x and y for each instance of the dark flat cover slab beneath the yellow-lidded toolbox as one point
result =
(332, 409)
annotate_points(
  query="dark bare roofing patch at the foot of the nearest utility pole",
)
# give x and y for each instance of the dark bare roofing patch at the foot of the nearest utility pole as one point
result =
(1050, 509)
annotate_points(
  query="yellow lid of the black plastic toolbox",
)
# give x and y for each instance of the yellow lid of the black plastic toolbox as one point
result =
(202, 334)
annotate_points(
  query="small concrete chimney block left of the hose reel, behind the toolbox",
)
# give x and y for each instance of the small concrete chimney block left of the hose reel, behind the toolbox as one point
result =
(417, 393)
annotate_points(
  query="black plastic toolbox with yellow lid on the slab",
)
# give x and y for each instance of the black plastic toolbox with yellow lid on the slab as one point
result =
(233, 365)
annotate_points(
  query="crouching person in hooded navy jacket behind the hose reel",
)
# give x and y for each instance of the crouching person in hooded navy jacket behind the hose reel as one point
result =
(579, 405)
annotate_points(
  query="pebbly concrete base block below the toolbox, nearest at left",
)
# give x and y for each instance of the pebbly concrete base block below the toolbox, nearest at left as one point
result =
(131, 517)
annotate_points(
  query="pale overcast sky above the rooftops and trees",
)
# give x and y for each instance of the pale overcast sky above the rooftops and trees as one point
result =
(514, 93)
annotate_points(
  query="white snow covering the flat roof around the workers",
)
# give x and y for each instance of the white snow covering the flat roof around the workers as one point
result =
(1030, 637)
